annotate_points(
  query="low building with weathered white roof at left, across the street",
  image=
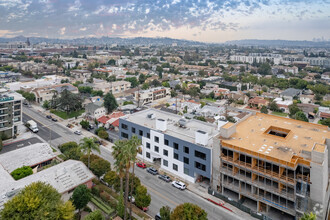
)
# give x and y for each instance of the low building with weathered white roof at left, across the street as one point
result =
(64, 177)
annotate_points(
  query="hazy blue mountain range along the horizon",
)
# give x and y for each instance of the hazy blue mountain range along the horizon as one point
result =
(166, 41)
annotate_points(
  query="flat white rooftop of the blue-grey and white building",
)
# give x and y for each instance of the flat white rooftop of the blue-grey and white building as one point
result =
(186, 132)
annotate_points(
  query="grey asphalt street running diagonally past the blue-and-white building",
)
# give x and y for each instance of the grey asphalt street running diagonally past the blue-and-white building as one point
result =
(161, 193)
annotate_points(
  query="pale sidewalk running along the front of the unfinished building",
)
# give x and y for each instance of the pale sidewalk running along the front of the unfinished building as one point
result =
(203, 192)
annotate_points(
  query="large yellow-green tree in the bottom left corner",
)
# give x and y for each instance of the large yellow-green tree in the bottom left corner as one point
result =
(38, 201)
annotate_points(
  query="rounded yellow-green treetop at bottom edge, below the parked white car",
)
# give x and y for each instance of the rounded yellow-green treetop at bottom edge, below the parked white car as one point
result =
(188, 211)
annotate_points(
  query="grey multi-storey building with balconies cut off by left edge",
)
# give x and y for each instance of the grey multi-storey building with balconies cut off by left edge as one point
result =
(10, 113)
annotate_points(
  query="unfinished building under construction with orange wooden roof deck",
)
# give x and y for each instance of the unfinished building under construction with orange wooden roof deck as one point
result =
(280, 165)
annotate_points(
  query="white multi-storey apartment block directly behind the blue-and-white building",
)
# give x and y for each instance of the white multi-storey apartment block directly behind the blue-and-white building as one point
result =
(150, 95)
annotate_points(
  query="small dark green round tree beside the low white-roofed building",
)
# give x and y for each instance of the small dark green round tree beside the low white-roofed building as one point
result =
(80, 197)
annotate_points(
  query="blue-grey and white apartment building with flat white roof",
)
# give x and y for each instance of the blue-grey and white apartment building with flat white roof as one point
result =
(176, 145)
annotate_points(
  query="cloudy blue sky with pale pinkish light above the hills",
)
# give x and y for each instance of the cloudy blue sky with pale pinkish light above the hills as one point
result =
(201, 20)
